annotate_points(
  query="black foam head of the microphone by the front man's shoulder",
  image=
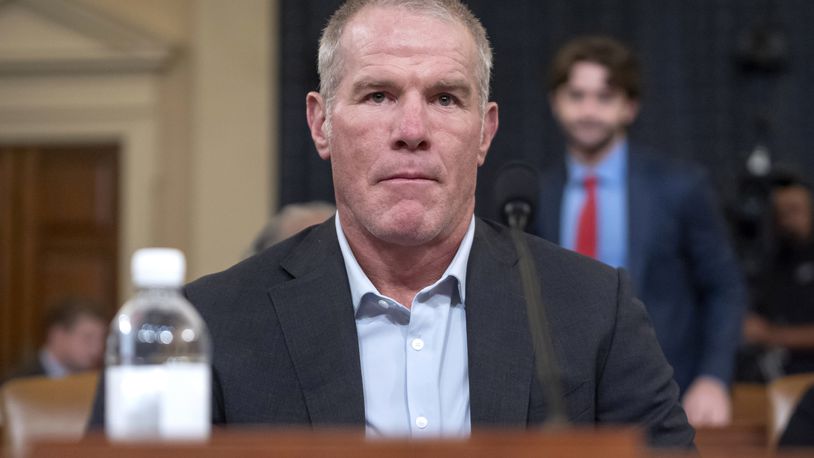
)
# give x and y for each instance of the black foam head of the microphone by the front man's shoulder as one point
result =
(517, 192)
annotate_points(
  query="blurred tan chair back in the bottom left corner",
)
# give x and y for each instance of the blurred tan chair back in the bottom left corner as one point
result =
(37, 408)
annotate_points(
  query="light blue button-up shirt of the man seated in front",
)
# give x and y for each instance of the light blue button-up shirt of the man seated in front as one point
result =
(415, 372)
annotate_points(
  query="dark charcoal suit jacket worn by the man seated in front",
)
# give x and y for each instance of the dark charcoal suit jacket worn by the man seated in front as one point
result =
(286, 350)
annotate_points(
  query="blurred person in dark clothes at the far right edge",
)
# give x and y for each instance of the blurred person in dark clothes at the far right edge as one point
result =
(784, 305)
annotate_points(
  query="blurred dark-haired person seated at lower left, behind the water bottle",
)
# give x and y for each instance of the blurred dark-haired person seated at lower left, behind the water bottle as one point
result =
(75, 332)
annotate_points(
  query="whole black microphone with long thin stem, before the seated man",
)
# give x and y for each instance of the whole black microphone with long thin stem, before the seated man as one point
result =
(517, 189)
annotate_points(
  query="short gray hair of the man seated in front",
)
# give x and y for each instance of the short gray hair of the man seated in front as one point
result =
(330, 59)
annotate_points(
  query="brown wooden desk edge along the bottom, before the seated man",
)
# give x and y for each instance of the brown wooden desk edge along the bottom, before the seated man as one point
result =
(278, 443)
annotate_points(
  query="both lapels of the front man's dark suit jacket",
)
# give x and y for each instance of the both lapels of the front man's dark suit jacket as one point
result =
(316, 316)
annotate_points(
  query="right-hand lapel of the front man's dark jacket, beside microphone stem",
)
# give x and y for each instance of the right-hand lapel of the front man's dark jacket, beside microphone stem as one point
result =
(499, 346)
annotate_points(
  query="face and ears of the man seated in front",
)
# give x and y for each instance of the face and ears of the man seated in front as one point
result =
(407, 131)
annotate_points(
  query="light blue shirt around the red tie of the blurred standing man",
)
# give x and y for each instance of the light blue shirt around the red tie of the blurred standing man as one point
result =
(612, 211)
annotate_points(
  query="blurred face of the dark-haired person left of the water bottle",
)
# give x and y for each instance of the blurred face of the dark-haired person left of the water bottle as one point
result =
(80, 346)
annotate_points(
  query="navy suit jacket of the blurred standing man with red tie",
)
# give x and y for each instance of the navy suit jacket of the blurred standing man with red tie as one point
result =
(680, 261)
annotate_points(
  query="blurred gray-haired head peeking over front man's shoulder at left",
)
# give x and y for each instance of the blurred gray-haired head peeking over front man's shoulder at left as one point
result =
(291, 219)
